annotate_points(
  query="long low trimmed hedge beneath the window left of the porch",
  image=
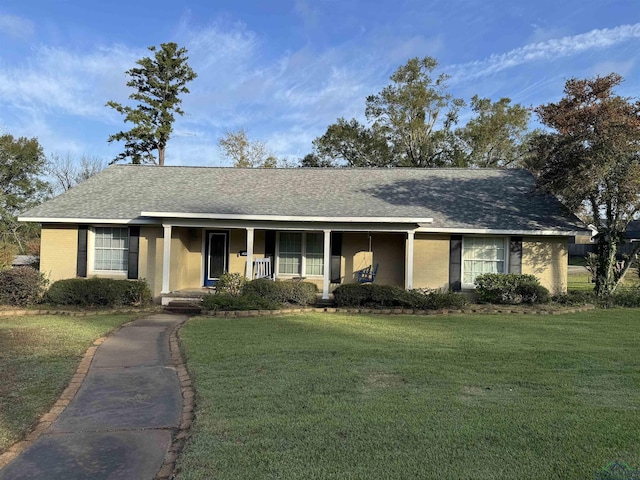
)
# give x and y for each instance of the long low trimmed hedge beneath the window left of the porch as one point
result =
(98, 292)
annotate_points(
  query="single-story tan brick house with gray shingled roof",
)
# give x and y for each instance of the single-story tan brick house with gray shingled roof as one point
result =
(181, 227)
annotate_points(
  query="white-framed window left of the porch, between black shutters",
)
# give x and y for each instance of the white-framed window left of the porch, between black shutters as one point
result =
(110, 249)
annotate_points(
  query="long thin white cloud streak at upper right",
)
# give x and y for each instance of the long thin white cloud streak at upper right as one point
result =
(549, 50)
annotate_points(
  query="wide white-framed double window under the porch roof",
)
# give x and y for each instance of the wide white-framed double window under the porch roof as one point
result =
(300, 253)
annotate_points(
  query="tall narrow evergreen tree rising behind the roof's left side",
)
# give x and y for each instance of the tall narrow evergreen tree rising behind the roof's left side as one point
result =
(158, 82)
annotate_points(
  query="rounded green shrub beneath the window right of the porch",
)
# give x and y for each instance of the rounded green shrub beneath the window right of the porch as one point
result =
(510, 288)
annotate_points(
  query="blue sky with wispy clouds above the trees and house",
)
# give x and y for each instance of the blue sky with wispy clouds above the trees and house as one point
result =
(285, 70)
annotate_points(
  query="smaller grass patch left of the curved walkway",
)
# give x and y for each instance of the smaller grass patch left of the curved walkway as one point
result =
(38, 357)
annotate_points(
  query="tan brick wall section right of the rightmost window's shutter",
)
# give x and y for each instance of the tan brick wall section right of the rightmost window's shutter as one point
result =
(547, 259)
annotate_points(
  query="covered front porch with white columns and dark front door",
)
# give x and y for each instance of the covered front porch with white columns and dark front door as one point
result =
(193, 258)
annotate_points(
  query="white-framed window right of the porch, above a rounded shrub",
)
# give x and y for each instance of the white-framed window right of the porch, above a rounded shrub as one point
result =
(482, 255)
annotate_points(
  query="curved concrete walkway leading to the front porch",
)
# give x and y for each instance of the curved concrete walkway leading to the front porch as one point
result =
(121, 422)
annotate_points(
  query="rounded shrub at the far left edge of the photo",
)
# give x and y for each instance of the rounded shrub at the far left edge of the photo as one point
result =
(21, 286)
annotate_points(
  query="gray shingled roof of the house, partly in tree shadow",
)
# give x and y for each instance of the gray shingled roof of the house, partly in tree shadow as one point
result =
(454, 198)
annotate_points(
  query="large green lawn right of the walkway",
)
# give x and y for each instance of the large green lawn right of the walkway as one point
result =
(319, 396)
